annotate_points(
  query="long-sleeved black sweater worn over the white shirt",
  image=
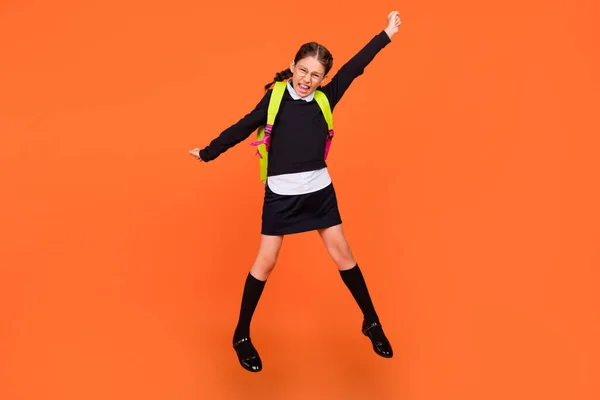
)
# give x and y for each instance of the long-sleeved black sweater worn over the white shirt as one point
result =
(300, 130)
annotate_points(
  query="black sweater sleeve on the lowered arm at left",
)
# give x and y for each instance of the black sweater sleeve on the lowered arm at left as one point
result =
(239, 131)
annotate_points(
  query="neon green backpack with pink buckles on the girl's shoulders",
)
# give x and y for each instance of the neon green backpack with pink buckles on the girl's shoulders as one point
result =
(263, 137)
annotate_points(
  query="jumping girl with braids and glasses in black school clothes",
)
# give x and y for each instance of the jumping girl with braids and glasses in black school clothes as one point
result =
(299, 194)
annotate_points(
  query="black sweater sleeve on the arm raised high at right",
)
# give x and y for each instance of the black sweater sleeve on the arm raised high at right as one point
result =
(355, 67)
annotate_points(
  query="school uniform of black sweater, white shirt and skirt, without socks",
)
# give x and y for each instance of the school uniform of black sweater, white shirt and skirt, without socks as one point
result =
(299, 194)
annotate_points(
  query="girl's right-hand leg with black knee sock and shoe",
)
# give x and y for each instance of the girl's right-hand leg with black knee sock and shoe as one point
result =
(339, 251)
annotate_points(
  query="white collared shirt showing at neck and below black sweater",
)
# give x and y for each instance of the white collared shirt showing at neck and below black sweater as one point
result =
(299, 182)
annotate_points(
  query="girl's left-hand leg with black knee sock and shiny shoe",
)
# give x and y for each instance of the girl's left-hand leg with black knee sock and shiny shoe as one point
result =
(255, 282)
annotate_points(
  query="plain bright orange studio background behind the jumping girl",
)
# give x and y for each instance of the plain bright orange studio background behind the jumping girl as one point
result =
(123, 258)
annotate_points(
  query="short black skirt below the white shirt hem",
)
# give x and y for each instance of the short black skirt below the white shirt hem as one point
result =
(288, 214)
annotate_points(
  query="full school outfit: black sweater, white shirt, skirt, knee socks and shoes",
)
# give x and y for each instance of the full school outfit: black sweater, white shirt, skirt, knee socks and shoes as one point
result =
(299, 194)
